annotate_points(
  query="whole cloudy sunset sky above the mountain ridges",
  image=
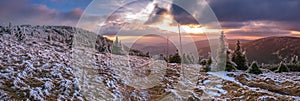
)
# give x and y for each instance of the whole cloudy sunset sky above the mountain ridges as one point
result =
(239, 19)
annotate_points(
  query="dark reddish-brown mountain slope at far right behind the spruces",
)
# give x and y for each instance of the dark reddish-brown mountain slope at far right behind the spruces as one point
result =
(272, 49)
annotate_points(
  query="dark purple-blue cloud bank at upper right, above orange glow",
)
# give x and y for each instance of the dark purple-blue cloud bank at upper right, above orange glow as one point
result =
(249, 10)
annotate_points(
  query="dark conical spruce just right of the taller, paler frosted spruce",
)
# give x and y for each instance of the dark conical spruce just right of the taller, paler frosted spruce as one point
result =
(239, 57)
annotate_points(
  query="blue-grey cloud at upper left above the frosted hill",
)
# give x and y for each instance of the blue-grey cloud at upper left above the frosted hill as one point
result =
(37, 14)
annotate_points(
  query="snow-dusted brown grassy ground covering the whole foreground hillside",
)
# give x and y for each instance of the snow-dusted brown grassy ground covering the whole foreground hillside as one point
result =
(36, 67)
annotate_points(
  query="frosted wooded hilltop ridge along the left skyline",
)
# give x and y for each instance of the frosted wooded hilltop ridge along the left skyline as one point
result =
(59, 36)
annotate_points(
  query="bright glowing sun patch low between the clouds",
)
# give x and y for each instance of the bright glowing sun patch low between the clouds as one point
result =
(193, 29)
